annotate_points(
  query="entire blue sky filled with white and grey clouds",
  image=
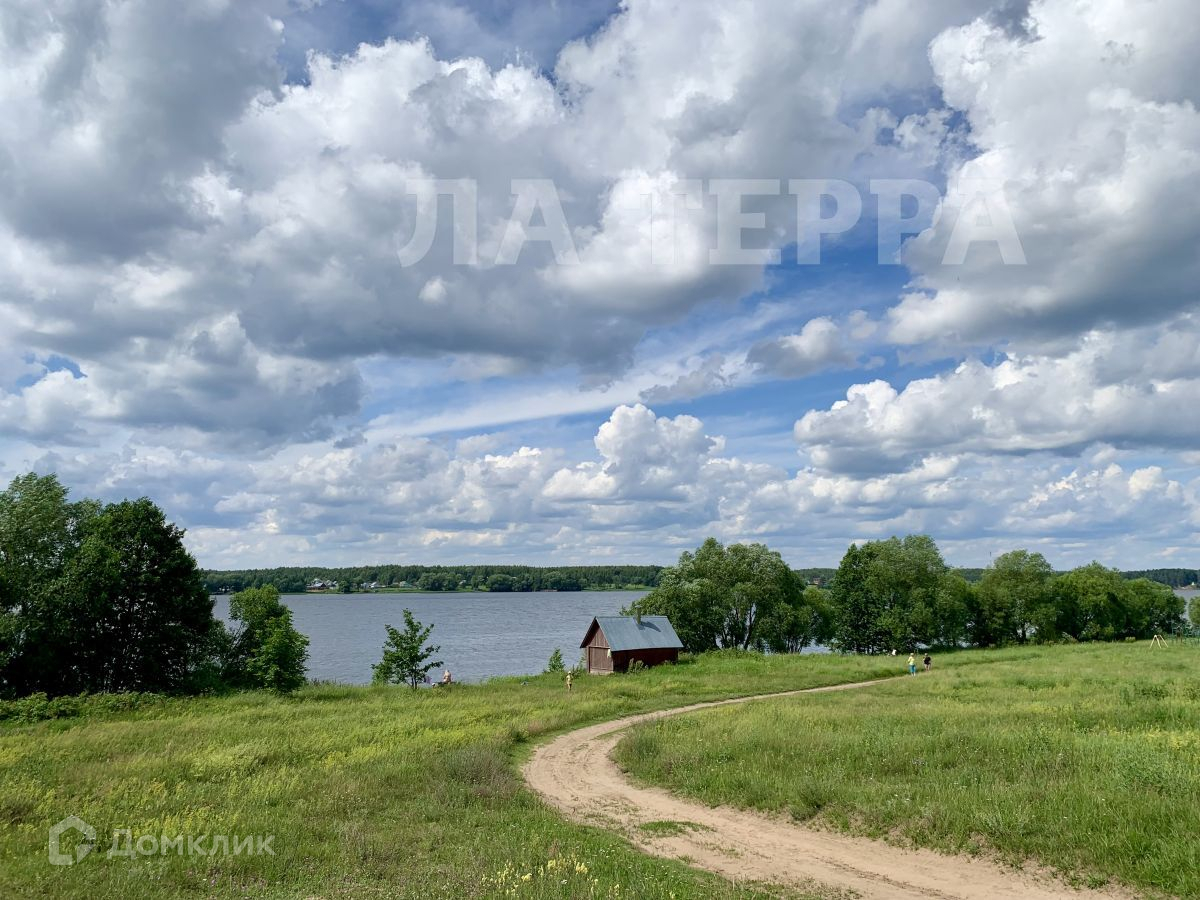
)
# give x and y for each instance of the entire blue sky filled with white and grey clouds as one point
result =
(209, 293)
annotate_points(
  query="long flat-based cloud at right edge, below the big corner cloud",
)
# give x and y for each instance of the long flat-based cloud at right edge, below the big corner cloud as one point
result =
(1125, 389)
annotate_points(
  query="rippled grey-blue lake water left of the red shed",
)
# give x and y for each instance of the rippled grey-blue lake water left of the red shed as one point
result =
(482, 635)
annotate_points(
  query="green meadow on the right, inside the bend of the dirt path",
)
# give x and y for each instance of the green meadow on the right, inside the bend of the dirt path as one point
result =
(1083, 759)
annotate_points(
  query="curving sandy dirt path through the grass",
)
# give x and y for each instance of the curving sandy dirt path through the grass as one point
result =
(577, 775)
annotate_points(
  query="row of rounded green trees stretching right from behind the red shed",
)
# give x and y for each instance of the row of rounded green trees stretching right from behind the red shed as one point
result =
(899, 595)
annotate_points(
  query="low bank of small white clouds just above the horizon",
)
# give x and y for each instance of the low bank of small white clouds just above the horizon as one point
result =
(655, 485)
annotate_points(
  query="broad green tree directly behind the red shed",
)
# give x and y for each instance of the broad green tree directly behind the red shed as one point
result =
(723, 597)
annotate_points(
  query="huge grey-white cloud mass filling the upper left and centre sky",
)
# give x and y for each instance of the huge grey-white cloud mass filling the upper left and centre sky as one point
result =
(160, 177)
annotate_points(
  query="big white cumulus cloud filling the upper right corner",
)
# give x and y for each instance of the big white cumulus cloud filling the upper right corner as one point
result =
(1093, 172)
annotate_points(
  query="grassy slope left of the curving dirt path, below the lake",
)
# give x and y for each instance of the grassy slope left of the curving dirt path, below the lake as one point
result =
(369, 793)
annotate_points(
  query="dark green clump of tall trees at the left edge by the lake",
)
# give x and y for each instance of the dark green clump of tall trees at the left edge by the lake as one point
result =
(105, 598)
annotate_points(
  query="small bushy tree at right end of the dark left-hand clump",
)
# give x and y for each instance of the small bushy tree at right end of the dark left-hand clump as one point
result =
(267, 651)
